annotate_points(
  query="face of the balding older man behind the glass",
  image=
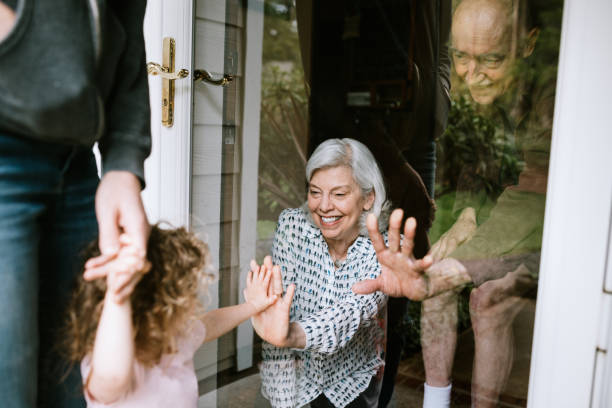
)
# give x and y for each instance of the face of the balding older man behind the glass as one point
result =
(482, 52)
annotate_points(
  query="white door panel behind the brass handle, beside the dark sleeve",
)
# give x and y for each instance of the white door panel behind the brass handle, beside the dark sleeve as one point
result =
(168, 169)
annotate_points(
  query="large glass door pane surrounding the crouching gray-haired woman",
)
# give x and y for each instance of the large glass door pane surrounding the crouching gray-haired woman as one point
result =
(455, 101)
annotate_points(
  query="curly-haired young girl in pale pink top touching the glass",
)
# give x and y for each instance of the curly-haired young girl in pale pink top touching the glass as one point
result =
(139, 353)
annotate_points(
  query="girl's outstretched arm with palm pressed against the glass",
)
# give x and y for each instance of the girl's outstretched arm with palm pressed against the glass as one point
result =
(220, 321)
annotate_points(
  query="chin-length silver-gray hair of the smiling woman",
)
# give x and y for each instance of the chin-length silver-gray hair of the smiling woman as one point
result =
(367, 174)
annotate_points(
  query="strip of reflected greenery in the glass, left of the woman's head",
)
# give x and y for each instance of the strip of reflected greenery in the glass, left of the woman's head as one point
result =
(284, 110)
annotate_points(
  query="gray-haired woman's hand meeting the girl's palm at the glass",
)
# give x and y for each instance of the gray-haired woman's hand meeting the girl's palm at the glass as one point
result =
(272, 324)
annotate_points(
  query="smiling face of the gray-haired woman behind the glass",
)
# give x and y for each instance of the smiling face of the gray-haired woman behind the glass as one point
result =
(336, 202)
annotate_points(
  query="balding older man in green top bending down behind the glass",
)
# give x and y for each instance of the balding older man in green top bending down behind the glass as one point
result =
(491, 40)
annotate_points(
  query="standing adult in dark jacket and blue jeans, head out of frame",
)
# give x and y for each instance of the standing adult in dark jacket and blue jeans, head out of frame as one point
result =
(71, 73)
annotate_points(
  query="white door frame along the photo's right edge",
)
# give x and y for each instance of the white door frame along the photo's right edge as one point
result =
(572, 312)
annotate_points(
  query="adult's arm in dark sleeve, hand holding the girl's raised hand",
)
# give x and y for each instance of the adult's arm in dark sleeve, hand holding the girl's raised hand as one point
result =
(124, 147)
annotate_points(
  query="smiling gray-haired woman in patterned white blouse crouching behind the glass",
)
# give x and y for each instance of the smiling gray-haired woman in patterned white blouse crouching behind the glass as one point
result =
(324, 348)
